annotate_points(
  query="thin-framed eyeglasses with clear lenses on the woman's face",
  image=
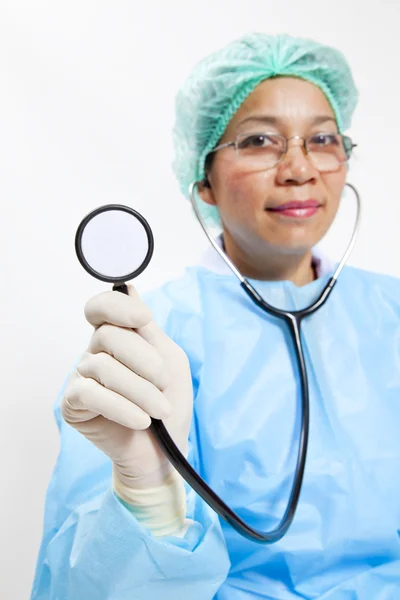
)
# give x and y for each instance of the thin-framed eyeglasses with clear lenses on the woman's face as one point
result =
(261, 151)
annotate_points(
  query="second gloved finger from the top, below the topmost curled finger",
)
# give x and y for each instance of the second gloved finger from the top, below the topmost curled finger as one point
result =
(131, 350)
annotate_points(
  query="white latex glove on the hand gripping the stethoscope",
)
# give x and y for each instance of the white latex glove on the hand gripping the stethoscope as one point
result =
(130, 372)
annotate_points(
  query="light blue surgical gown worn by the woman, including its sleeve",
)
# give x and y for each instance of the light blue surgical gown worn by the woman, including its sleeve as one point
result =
(344, 543)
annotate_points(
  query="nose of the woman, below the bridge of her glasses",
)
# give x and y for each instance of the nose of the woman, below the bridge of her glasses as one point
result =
(295, 167)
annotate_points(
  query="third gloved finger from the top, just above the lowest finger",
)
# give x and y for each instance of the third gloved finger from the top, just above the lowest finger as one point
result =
(115, 376)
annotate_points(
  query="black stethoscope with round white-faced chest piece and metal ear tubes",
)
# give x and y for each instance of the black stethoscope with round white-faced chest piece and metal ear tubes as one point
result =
(88, 231)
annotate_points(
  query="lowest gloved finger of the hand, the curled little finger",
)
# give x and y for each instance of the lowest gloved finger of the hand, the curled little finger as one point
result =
(86, 396)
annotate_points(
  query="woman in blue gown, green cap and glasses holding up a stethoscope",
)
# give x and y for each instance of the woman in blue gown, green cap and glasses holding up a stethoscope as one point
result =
(259, 126)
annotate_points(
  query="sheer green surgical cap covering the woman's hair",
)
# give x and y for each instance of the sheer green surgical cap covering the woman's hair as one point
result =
(221, 82)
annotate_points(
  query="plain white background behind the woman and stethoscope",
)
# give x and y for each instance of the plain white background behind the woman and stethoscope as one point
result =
(86, 111)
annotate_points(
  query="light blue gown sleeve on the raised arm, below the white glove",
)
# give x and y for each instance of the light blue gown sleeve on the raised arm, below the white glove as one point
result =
(94, 548)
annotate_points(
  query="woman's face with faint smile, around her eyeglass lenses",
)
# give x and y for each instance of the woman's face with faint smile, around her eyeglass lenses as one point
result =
(246, 199)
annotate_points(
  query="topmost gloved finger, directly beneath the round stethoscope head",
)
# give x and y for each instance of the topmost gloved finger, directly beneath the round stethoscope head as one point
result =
(117, 309)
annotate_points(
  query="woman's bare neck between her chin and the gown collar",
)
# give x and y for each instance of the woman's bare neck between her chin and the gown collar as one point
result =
(270, 266)
